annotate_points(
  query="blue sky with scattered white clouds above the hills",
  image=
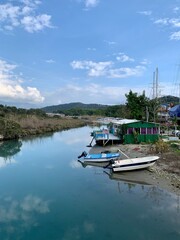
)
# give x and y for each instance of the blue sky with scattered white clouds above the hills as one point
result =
(91, 51)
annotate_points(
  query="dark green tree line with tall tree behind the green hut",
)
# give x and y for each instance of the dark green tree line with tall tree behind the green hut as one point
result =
(136, 107)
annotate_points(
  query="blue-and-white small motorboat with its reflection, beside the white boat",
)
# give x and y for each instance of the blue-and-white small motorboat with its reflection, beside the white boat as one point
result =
(99, 159)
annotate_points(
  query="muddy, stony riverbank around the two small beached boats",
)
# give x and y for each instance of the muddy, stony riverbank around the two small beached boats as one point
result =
(165, 173)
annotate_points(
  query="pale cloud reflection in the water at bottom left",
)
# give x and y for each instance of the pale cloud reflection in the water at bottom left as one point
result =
(18, 216)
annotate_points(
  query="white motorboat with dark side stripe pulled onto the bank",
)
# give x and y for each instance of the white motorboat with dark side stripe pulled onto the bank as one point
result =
(133, 163)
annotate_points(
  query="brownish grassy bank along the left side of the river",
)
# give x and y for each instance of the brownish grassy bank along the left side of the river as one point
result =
(14, 126)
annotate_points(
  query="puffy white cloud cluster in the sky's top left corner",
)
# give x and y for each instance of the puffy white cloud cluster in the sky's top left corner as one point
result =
(23, 15)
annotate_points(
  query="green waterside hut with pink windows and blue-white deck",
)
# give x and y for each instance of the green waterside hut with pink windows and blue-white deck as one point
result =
(127, 131)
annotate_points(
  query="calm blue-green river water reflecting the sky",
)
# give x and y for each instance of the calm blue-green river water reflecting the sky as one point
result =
(45, 194)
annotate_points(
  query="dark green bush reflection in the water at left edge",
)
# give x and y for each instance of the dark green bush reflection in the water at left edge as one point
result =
(10, 148)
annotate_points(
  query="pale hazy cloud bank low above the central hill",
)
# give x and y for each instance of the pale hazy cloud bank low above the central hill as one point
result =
(92, 93)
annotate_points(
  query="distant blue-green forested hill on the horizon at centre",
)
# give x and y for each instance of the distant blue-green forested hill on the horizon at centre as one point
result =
(70, 106)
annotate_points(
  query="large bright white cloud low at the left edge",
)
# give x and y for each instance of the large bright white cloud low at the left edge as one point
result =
(11, 88)
